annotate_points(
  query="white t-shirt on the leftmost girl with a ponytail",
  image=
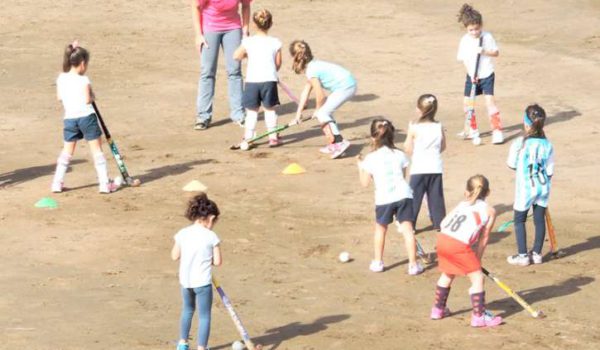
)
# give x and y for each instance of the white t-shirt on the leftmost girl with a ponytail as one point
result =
(71, 88)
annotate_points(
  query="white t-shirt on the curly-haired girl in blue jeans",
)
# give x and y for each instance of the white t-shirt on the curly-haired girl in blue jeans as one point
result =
(195, 267)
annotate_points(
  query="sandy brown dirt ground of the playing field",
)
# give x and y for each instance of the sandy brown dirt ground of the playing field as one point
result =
(96, 274)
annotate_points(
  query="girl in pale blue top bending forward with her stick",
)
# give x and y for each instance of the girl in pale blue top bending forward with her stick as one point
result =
(323, 75)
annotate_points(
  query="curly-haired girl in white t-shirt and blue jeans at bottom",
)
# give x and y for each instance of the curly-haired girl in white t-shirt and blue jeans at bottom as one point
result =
(198, 248)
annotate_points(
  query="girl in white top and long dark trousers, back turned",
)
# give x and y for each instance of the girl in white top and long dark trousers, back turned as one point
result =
(425, 142)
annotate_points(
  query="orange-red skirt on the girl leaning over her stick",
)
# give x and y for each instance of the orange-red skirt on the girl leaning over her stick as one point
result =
(455, 257)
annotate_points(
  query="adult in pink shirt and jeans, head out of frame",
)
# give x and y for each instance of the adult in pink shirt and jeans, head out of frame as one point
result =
(217, 23)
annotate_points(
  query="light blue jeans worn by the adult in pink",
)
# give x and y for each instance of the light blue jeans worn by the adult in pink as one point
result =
(230, 41)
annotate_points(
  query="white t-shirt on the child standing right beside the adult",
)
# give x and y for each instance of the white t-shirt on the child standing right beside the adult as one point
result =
(261, 52)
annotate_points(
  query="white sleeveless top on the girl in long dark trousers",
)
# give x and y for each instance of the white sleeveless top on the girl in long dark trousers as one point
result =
(427, 149)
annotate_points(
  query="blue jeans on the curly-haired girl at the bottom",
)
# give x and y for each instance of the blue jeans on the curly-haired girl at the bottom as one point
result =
(202, 296)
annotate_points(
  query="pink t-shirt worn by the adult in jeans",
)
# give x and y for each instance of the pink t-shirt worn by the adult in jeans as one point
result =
(221, 15)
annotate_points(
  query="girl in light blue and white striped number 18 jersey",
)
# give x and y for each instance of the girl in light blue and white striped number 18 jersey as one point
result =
(533, 159)
